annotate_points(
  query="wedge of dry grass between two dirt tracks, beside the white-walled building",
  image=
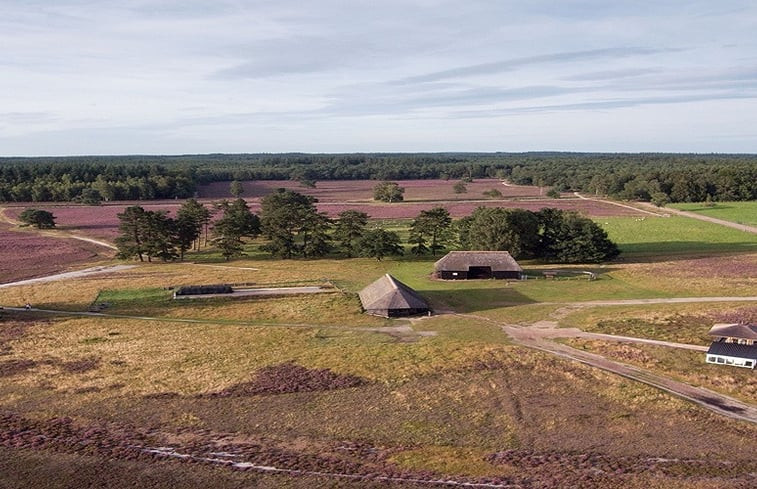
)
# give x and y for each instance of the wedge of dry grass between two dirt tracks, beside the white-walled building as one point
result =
(686, 365)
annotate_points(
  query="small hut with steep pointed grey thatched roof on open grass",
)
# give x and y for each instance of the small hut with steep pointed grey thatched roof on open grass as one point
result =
(388, 297)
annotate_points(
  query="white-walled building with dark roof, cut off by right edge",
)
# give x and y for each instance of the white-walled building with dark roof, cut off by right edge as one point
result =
(734, 344)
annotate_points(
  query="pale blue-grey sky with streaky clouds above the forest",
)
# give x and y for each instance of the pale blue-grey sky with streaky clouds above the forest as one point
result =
(201, 76)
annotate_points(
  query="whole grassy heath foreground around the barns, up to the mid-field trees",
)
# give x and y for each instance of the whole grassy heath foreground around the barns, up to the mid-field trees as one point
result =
(306, 391)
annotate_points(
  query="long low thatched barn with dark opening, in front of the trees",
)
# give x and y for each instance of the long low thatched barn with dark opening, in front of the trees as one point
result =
(466, 265)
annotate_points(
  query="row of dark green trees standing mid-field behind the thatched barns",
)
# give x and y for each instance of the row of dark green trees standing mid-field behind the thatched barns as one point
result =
(292, 227)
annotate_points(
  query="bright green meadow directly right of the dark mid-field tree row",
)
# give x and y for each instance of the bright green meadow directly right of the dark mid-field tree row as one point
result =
(656, 236)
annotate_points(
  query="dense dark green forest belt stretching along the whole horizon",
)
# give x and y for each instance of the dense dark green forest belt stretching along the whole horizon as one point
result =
(659, 178)
